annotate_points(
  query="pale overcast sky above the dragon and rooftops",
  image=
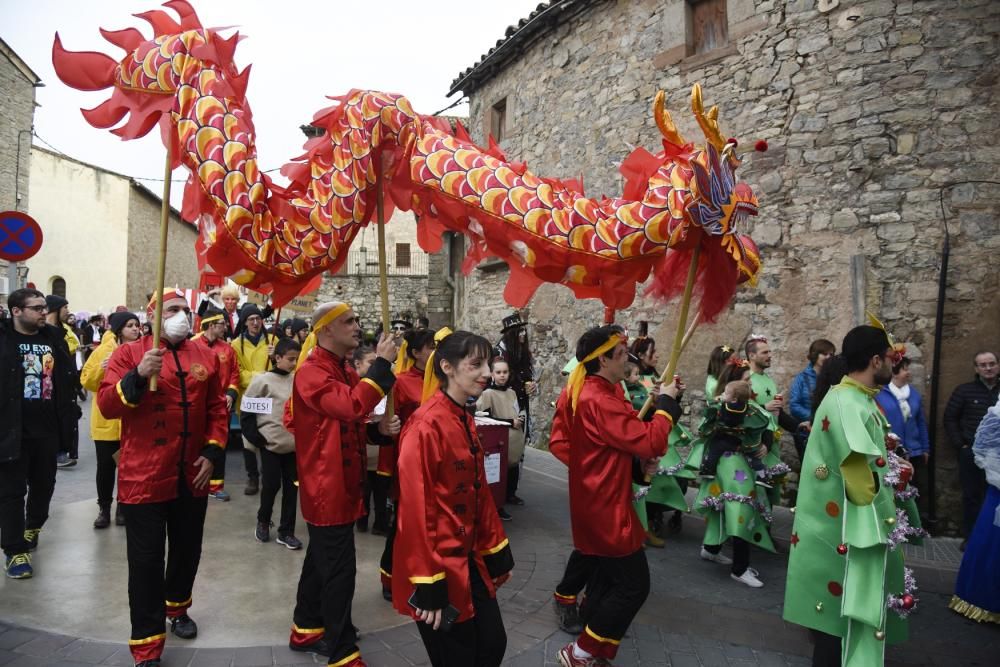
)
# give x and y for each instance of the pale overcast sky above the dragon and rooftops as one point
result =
(300, 51)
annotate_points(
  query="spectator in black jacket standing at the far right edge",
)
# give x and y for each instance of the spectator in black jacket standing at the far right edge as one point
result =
(966, 408)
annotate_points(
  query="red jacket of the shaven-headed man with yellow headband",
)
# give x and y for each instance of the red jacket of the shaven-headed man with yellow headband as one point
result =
(327, 414)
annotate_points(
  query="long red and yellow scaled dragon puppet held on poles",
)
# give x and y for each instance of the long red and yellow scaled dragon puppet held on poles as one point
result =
(282, 239)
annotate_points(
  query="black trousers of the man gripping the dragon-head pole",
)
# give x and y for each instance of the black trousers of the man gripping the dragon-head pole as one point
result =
(617, 592)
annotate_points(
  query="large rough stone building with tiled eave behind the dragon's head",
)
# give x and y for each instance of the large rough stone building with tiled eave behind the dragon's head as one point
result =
(880, 119)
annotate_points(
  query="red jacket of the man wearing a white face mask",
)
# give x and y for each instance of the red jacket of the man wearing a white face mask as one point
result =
(167, 430)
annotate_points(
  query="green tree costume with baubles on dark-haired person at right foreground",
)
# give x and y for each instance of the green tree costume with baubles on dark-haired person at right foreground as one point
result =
(840, 568)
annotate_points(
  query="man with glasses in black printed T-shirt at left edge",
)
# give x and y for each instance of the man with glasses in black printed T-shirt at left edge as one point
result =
(37, 388)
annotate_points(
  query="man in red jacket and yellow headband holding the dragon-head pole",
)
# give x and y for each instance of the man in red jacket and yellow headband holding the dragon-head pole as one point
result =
(607, 439)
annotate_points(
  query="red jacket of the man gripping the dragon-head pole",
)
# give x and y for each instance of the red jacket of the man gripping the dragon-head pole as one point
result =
(605, 435)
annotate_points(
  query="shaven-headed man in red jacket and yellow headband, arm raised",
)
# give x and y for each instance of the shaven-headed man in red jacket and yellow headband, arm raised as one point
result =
(327, 414)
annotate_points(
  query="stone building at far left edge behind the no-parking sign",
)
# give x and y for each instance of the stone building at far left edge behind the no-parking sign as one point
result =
(17, 113)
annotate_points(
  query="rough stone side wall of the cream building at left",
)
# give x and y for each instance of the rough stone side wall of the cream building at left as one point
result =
(143, 249)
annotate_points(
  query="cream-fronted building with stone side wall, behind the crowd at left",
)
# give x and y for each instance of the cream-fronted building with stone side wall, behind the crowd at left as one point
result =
(102, 236)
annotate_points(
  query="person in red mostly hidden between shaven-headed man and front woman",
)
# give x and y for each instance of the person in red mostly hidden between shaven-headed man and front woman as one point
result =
(418, 344)
